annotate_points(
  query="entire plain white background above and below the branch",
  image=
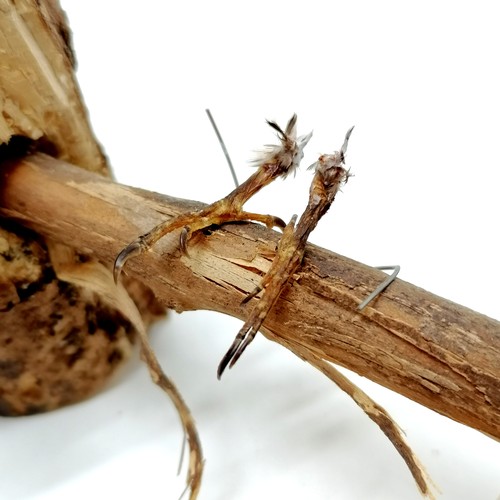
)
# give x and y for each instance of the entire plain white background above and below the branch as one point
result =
(420, 82)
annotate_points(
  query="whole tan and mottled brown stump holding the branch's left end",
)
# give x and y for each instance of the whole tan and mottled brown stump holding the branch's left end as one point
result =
(58, 342)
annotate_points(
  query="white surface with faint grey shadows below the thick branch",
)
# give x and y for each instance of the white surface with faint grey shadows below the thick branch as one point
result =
(272, 427)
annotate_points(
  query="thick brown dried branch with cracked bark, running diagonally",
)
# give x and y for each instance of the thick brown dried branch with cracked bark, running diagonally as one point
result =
(438, 353)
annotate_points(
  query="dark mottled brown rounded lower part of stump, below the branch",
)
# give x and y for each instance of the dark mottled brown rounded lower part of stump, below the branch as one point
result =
(58, 343)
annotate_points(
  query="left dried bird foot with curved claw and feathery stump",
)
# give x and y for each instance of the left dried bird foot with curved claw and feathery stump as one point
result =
(275, 161)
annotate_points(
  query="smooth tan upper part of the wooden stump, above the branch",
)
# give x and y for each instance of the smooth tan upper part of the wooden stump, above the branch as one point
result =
(39, 95)
